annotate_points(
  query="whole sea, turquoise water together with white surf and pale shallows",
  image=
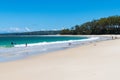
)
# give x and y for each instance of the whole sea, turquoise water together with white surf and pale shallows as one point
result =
(14, 47)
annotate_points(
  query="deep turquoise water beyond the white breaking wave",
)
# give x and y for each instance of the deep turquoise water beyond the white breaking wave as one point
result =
(5, 41)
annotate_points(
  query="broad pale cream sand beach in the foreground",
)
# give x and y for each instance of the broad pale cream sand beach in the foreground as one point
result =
(96, 61)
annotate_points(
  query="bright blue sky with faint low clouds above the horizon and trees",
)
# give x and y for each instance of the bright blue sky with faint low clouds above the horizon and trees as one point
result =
(35, 15)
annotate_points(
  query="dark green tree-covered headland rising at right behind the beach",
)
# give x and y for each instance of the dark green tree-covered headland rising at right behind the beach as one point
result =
(109, 25)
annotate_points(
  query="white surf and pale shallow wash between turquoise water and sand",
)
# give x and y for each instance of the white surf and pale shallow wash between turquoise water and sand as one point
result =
(17, 53)
